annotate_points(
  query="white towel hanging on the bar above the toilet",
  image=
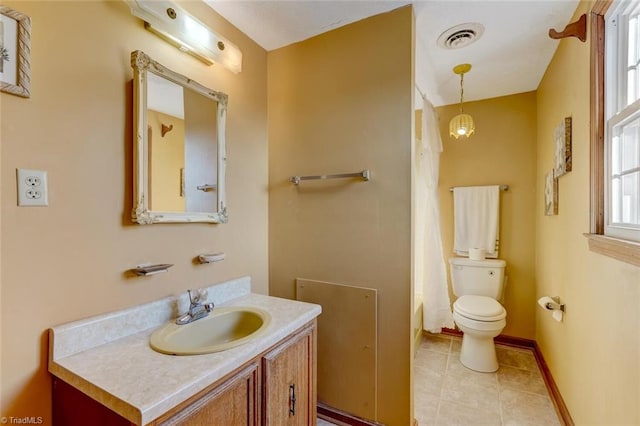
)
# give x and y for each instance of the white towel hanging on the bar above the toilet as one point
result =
(476, 215)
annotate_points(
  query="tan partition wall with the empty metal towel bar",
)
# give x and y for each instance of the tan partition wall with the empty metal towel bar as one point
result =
(342, 102)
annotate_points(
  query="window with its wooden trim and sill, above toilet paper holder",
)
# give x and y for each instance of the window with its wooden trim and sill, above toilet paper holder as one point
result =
(615, 129)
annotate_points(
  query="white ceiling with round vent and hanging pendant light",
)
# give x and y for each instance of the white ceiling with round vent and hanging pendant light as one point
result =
(511, 57)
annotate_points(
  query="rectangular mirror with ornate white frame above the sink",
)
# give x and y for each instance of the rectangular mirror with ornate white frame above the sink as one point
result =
(179, 147)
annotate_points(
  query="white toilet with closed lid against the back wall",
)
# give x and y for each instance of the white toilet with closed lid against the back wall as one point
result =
(479, 285)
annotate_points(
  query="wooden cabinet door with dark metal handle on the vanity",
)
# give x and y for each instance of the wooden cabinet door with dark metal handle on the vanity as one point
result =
(289, 397)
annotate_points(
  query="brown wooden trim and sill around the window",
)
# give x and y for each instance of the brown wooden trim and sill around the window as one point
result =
(624, 250)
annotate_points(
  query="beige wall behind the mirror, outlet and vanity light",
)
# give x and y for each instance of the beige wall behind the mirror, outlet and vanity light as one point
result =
(68, 260)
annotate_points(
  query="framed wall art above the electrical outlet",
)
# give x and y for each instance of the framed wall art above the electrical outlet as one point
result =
(15, 52)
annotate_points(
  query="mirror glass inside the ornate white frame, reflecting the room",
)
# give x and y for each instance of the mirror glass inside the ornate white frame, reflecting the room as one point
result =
(182, 130)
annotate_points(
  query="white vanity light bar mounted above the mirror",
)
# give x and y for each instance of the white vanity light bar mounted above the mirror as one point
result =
(175, 25)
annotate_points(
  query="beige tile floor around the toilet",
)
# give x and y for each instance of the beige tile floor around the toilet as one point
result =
(447, 393)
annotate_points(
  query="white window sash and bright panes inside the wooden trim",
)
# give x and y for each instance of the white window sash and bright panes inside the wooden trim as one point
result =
(622, 116)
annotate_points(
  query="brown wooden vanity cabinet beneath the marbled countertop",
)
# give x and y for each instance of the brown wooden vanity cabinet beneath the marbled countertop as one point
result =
(277, 388)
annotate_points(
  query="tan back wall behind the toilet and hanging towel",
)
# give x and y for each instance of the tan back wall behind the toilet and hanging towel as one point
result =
(501, 151)
